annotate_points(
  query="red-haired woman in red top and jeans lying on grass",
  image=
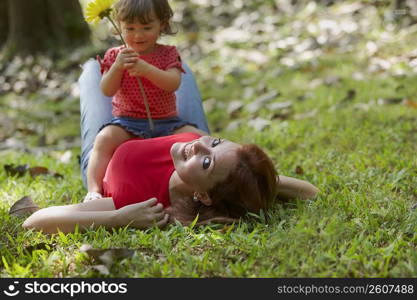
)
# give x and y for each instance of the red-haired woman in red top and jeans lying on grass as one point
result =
(151, 182)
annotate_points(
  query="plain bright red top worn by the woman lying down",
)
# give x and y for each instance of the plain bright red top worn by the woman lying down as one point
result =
(141, 168)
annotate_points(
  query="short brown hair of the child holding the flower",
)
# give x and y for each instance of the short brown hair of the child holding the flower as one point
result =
(141, 10)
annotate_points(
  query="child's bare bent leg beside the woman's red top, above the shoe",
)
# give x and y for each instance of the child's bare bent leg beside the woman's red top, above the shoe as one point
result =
(105, 144)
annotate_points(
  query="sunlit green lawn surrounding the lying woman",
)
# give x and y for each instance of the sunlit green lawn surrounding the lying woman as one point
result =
(352, 136)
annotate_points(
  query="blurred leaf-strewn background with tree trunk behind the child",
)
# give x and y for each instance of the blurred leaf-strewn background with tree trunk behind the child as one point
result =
(228, 45)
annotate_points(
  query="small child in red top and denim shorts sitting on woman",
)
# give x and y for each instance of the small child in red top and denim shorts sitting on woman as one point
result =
(158, 67)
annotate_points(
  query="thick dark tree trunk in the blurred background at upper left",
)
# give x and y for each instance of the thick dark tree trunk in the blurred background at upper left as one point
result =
(44, 26)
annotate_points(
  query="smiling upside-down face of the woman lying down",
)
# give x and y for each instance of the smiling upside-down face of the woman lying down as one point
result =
(204, 162)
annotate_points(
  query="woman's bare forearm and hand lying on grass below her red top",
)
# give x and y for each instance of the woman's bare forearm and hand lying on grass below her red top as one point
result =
(95, 214)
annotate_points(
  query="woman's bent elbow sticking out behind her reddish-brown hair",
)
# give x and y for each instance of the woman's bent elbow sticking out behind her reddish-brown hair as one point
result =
(292, 188)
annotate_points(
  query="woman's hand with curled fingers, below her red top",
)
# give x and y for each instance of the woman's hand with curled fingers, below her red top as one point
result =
(142, 215)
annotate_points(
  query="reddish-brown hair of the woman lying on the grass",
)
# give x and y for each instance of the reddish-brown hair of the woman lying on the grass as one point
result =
(250, 187)
